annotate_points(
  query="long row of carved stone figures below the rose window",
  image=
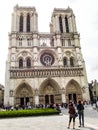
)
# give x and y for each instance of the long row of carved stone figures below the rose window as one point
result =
(45, 72)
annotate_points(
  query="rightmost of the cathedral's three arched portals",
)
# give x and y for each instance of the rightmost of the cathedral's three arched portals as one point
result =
(73, 91)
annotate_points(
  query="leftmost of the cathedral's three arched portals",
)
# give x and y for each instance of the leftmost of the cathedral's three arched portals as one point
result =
(24, 95)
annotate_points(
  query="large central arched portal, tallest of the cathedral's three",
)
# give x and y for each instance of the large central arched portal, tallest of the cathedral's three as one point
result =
(49, 92)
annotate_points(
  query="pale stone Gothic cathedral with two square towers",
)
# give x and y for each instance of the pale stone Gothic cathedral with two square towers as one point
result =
(44, 68)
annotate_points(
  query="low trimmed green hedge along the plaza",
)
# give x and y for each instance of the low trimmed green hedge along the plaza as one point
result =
(25, 113)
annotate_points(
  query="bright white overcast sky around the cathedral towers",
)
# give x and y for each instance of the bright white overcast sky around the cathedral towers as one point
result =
(86, 16)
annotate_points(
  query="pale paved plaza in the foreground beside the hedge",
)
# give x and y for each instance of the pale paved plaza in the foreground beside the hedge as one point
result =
(58, 122)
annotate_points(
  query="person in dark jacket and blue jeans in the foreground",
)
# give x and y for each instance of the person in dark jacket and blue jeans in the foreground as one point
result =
(80, 108)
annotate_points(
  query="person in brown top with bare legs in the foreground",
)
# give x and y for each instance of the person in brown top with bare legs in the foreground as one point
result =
(71, 115)
